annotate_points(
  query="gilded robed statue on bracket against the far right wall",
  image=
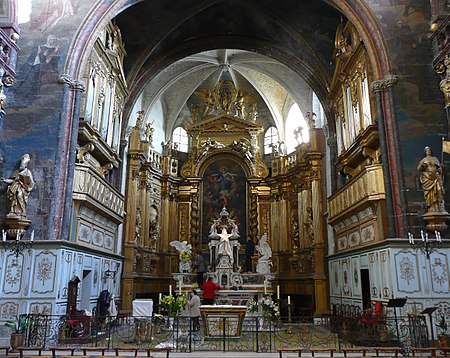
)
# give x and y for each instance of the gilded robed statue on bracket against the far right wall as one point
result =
(431, 180)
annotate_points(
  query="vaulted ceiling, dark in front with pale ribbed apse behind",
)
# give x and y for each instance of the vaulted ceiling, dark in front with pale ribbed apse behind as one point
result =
(277, 52)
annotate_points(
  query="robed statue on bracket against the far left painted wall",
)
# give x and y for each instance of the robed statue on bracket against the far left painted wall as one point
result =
(20, 186)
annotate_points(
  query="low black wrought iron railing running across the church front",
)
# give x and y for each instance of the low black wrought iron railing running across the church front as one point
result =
(259, 334)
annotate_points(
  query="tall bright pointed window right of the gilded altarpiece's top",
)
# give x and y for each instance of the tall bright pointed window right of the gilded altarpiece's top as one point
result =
(296, 129)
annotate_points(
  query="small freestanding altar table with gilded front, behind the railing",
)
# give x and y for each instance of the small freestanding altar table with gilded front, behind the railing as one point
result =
(223, 320)
